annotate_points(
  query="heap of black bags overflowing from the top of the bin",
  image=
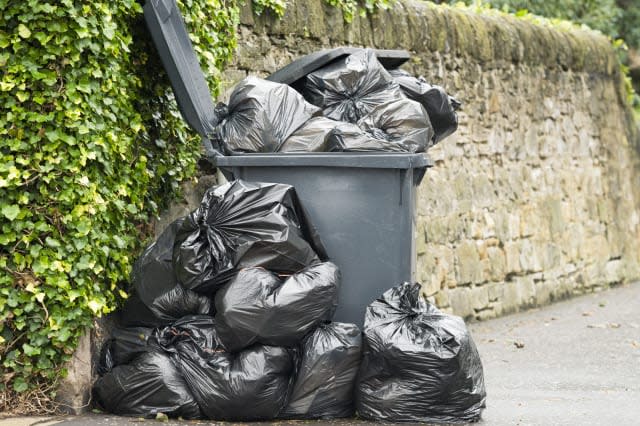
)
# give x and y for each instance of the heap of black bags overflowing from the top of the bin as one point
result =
(350, 105)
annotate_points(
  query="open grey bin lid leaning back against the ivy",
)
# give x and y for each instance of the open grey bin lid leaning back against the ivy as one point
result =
(172, 41)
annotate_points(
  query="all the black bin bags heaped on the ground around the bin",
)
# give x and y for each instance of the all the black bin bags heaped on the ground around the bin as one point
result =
(231, 320)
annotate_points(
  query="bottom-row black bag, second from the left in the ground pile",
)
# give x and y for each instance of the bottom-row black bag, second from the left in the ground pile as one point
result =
(249, 385)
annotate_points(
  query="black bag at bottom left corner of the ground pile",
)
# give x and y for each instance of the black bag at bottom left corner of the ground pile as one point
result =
(149, 385)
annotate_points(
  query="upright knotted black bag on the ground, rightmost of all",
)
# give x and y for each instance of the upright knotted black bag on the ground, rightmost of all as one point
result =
(419, 364)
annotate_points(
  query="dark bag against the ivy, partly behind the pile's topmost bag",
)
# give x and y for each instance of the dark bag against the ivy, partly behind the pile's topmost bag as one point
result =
(158, 297)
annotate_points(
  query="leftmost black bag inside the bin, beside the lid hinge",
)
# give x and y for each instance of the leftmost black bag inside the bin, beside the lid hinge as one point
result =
(261, 115)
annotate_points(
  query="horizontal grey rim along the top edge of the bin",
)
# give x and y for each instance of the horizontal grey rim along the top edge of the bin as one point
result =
(372, 160)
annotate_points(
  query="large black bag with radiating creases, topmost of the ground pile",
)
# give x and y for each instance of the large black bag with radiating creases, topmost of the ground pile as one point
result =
(244, 224)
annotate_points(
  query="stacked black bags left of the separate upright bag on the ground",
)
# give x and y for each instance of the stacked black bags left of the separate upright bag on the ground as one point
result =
(231, 318)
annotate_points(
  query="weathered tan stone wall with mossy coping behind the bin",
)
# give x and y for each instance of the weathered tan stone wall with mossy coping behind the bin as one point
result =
(536, 196)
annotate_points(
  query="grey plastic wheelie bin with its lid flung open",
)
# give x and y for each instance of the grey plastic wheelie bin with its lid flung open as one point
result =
(362, 204)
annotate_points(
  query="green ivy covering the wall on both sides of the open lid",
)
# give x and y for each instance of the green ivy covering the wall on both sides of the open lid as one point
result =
(92, 144)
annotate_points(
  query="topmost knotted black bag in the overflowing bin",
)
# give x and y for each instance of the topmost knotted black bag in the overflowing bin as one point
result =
(351, 87)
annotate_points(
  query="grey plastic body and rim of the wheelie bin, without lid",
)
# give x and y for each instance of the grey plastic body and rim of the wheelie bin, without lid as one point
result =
(363, 207)
